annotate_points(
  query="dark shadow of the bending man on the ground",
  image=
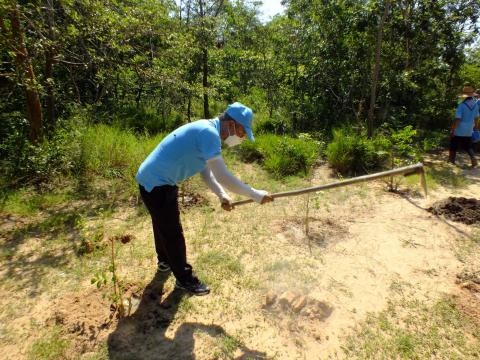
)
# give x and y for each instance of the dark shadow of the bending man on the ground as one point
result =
(143, 334)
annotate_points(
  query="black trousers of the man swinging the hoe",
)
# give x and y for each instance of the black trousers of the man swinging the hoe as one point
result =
(162, 204)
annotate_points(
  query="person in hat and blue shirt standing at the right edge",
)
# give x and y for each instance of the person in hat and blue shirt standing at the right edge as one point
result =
(466, 120)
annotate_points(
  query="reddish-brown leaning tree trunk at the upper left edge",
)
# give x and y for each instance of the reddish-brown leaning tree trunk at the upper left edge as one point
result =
(24, 67)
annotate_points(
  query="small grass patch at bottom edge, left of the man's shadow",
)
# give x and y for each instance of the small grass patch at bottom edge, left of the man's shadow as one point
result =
(50, 347)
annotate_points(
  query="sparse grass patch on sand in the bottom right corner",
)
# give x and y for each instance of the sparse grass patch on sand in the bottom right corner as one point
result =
(416, 330)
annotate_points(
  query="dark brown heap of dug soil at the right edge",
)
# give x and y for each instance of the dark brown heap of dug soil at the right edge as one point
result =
(465, 210)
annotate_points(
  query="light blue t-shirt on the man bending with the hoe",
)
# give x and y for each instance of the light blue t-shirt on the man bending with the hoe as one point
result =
(181, 154)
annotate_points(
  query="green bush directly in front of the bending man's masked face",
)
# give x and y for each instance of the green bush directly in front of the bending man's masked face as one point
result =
(281, 155)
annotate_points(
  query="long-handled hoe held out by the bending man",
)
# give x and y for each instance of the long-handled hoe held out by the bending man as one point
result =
(406, 170)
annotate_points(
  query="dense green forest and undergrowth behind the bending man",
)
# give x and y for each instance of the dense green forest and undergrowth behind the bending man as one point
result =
(76, 73)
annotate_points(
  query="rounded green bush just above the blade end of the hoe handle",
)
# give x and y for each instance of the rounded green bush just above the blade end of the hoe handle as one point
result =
(350, 153)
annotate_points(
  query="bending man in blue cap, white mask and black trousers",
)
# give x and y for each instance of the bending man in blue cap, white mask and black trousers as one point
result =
(192, 148)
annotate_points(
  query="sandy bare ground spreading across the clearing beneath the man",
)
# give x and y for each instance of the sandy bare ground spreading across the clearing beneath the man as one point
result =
(312, 283)
